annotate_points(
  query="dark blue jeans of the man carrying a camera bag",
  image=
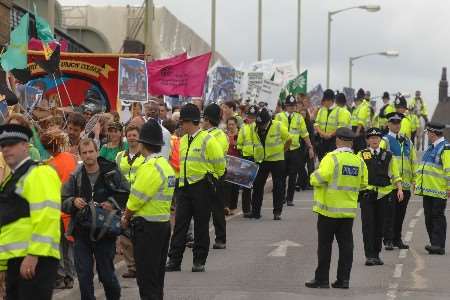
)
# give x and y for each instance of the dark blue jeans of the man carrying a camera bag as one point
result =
(103, 251)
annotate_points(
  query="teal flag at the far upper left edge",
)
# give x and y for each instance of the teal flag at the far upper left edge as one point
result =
(15, 56)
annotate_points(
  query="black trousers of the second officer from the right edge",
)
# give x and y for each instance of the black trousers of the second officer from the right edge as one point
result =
(395, 215)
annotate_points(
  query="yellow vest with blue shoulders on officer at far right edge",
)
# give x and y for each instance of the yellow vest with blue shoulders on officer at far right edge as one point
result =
(433, 173)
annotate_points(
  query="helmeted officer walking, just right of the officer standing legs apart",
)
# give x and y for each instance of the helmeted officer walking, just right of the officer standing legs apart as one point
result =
(297, 129)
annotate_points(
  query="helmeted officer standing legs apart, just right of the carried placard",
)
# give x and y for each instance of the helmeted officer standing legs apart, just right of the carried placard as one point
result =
(270, 139)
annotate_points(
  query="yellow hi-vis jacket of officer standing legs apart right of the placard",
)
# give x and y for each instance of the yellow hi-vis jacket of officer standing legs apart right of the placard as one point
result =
(273, 148)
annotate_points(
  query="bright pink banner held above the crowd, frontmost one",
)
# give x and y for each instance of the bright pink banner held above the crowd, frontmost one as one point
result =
(185, 78)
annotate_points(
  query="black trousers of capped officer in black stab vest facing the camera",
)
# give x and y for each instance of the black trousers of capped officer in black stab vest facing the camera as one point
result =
(372, 217)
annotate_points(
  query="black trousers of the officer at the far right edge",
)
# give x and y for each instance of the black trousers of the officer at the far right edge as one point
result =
(435, 221)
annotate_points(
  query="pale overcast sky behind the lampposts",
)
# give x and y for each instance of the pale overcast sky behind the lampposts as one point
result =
(416, 28)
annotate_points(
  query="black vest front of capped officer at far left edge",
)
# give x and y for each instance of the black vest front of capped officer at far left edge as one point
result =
(12, 206)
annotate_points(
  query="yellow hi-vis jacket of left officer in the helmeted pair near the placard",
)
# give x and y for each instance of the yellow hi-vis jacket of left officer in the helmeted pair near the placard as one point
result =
(203, 155)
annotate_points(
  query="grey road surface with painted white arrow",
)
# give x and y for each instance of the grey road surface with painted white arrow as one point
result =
(268, 259)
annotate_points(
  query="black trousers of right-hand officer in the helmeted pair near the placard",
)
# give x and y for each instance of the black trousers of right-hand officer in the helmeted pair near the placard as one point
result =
(218, 212)
